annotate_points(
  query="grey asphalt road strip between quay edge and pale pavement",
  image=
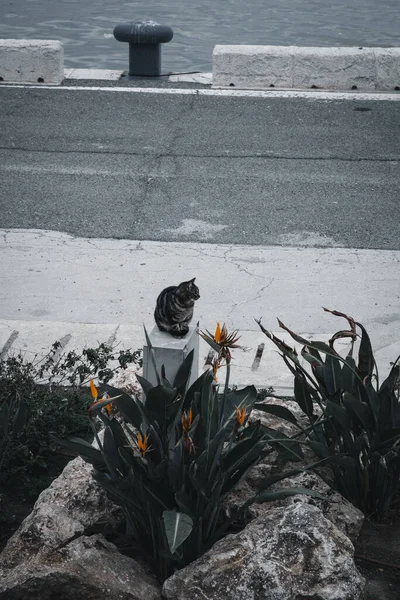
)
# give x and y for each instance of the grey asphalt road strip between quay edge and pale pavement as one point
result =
(188, 167)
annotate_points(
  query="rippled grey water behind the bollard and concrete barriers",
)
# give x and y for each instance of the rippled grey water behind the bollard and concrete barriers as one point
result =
(85, 26)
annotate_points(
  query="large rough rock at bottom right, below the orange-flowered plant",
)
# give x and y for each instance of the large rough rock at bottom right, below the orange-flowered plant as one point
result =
(290, 553)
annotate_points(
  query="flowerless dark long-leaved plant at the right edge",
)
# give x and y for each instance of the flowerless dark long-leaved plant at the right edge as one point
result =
(357, 428)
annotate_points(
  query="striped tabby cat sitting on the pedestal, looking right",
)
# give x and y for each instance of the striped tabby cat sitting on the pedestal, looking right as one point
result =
(174, 308)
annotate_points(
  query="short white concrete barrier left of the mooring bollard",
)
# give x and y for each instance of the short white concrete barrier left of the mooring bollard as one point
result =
(31, 61)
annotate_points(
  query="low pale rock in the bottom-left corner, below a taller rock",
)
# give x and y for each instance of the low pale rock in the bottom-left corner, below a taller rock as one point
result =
(88, 567)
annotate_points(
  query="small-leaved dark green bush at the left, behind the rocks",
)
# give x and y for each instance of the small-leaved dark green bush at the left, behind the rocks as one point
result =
(44, 398)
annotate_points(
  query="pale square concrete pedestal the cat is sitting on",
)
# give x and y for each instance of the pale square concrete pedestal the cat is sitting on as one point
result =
(170, 352)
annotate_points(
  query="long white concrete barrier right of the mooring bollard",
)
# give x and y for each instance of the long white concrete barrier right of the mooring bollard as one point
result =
(295, 67)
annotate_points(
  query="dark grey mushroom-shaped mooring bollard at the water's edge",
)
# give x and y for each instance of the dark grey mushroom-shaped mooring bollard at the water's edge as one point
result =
(144, 39)
